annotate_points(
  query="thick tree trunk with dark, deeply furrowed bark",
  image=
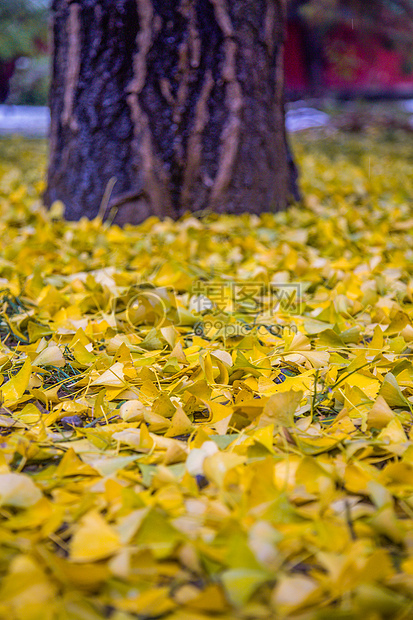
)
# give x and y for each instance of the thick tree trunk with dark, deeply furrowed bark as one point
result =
(164, 106)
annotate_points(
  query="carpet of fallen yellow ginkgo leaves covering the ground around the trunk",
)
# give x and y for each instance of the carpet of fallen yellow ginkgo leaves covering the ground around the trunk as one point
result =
(166, 452)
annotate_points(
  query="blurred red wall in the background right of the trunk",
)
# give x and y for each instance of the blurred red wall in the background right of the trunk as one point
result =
(350, 58)
